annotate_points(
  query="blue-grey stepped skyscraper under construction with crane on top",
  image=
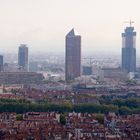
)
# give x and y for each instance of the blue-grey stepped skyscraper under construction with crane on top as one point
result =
(129, 49)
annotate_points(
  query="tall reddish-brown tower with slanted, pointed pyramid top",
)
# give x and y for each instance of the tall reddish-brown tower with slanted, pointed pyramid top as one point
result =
(73, 55)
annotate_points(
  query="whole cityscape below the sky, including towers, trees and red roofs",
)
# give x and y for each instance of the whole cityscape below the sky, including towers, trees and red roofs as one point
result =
(52, 97)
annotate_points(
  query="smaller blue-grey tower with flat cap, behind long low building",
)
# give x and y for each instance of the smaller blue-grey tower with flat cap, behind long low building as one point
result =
(23, 57)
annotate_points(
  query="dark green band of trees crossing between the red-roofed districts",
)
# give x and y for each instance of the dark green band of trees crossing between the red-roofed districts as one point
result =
(121, 106)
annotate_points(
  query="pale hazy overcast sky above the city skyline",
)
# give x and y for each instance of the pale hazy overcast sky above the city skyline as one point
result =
(43, 24)
